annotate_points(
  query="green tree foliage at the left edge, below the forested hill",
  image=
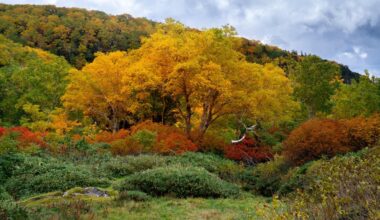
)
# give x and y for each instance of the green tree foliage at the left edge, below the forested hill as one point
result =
(29, 76)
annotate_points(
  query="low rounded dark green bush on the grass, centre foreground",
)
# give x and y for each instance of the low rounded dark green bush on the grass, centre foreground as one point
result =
(181, 181)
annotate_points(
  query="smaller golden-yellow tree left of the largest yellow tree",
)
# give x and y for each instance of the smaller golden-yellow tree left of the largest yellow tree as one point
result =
(97, 91)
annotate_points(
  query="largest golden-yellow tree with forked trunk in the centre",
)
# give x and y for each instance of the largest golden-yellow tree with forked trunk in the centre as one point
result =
(206, 77)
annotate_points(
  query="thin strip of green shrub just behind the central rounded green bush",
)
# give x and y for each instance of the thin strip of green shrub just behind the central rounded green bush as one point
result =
(225, 169)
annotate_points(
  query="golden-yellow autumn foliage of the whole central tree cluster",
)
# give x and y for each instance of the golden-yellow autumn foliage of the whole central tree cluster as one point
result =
(199, 73)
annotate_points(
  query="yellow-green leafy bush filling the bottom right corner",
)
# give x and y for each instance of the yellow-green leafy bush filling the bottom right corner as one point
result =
(341, 188)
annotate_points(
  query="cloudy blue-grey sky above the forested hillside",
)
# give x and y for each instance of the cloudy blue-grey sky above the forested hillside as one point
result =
(347, 31)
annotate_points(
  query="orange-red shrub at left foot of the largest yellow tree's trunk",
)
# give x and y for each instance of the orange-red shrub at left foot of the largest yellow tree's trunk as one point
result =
(169, 139)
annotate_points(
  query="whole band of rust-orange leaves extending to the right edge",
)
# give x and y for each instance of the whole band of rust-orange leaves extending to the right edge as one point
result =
(325, 137)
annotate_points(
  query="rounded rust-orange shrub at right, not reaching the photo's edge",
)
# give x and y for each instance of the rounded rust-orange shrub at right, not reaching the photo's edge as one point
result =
(314, 139)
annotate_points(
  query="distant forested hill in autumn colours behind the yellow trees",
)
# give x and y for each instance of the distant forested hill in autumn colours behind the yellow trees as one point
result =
(77, 34)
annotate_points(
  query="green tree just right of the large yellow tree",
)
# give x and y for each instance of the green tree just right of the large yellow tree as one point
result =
(314, 83)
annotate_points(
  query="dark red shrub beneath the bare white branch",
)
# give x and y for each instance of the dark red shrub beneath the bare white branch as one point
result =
(248, 151)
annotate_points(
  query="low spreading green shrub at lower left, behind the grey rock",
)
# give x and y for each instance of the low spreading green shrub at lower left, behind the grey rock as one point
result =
(40, 175)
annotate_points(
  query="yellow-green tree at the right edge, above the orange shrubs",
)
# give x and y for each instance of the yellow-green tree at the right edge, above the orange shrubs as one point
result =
(360, 98)
